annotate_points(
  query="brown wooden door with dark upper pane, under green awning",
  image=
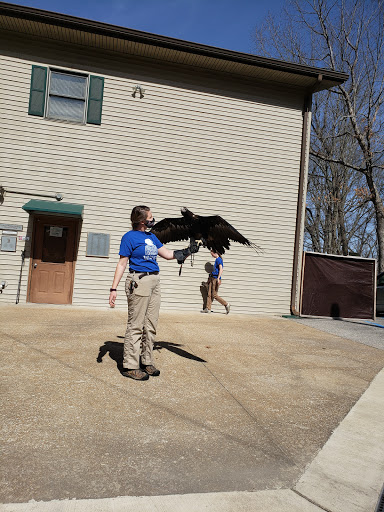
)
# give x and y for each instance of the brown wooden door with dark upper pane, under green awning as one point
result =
(53, 260)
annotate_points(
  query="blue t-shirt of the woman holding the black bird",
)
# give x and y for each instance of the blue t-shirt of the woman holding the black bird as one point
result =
(141, 249)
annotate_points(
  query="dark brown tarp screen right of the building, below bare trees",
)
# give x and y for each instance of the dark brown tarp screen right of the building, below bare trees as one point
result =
(335, 286)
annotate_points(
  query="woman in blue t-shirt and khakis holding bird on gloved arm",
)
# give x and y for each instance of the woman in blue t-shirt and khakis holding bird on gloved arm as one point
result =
(142, 287)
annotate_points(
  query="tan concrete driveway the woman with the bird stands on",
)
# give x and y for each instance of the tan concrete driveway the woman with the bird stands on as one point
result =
(242, 403)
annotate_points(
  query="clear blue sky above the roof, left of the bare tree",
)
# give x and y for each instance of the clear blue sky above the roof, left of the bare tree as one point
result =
(222, 23)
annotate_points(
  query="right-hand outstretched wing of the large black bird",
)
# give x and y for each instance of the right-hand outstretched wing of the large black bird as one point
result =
(220, 232)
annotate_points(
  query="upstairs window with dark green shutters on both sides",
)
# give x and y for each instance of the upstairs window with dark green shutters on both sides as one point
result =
(59, 94)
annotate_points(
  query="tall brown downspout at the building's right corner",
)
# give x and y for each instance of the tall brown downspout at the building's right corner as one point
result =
(301, 202)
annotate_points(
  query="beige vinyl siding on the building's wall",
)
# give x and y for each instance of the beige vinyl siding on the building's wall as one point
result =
(233, 151)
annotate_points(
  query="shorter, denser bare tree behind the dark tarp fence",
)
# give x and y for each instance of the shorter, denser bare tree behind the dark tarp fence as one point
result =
(338, 216)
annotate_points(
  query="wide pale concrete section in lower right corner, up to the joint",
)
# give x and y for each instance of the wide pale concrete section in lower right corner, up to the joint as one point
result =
(348, 473)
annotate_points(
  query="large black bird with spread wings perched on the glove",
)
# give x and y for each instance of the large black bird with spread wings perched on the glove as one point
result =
(213, 232)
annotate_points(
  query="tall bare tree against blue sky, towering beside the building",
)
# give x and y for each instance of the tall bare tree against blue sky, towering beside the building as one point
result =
(344, 35)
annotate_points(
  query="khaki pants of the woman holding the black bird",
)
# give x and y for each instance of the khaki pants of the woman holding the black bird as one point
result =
(143, 314)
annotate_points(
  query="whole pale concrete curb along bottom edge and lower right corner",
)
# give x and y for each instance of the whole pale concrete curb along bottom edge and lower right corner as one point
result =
(346, 476)
